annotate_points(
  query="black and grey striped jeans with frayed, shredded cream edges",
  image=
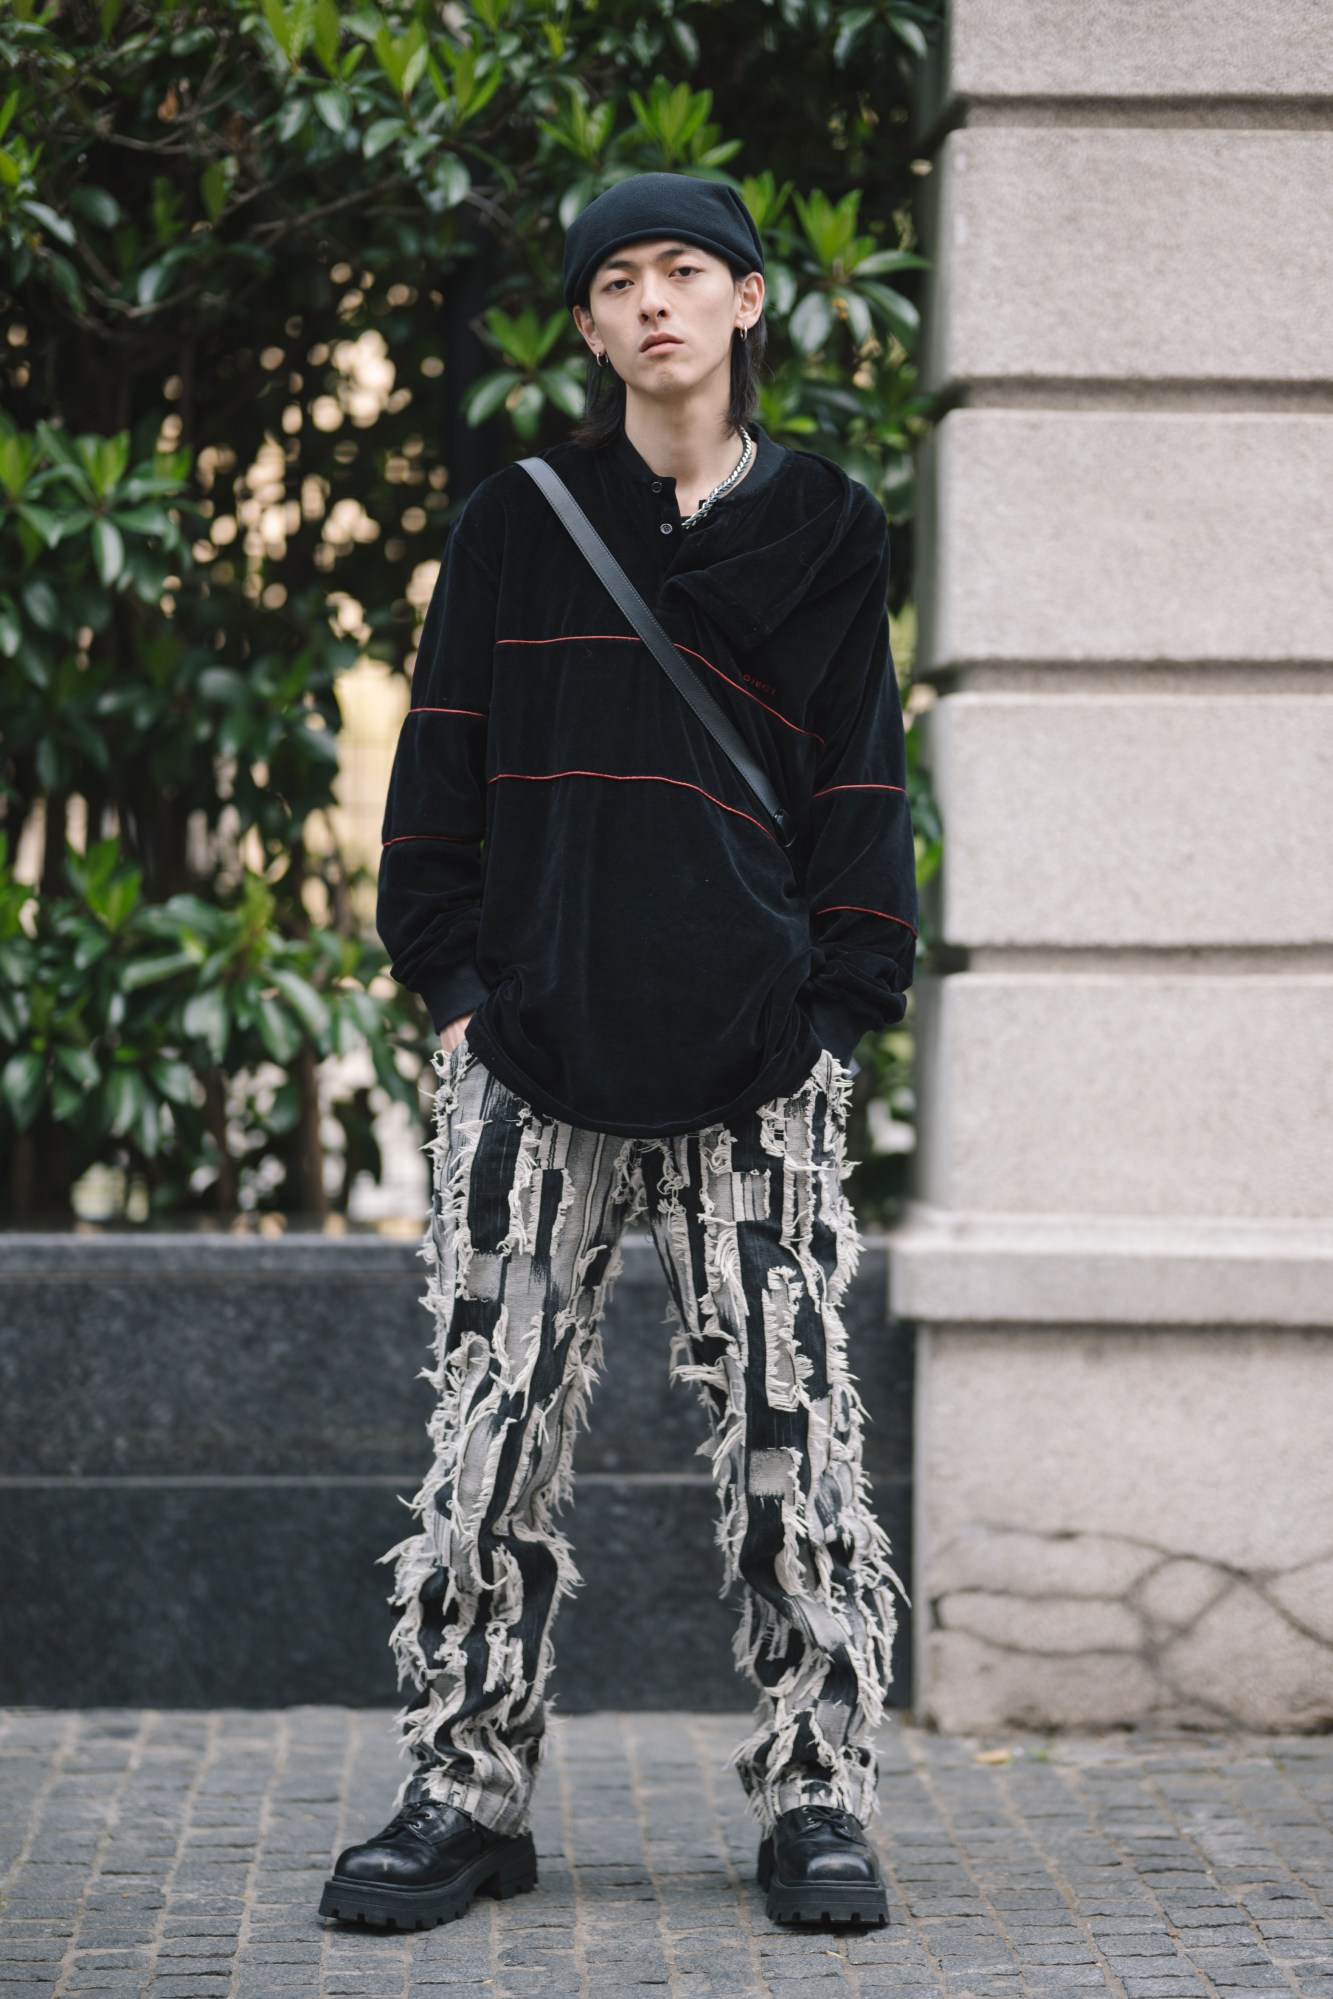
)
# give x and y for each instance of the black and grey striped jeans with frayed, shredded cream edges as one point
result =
(758, 1244)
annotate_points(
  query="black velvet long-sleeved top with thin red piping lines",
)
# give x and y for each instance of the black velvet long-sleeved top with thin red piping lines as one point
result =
(573, 859)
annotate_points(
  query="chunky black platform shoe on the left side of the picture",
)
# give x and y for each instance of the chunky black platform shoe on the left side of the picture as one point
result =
(425, 1868)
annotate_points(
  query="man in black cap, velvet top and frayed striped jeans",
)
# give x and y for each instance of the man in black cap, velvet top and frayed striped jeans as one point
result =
(649, 1008)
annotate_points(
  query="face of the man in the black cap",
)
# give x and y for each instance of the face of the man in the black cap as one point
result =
(670, 289)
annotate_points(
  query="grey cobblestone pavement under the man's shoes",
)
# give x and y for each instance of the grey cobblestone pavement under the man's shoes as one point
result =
(179, 1854)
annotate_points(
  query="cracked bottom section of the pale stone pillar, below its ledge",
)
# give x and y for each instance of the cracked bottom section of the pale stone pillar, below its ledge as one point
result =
(1126, 1526)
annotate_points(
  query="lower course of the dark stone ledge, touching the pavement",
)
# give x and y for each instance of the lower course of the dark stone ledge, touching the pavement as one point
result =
(271, 1594)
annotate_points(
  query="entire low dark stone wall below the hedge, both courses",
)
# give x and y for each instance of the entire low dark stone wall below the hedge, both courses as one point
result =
(209, 1440)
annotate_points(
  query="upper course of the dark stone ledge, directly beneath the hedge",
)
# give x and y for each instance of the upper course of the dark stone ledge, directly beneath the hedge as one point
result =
(303, 1356)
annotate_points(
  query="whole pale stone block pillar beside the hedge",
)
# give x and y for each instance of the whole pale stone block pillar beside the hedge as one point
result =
(1120, 1254)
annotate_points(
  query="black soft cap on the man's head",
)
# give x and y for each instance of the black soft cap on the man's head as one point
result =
(661, 205)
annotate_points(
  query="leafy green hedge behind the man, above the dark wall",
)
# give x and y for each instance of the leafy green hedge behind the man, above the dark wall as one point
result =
(203, 525)
